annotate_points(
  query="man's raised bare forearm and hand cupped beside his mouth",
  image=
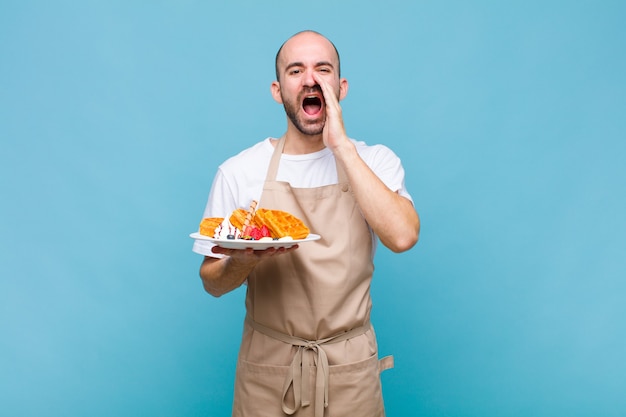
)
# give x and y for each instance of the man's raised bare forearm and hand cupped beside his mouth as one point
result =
(392, 217)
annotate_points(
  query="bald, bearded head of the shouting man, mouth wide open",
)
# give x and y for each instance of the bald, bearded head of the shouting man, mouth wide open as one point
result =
(301, 96)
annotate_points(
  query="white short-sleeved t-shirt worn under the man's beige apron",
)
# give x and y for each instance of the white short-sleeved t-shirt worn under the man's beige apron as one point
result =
(240, 179)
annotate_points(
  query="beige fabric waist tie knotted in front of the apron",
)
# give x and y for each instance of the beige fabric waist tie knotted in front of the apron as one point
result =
(298, 375)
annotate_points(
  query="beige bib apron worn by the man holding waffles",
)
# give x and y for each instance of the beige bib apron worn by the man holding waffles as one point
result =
(308, 347)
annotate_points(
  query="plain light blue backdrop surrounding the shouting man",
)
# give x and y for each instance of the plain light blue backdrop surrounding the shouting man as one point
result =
(508, 116)
